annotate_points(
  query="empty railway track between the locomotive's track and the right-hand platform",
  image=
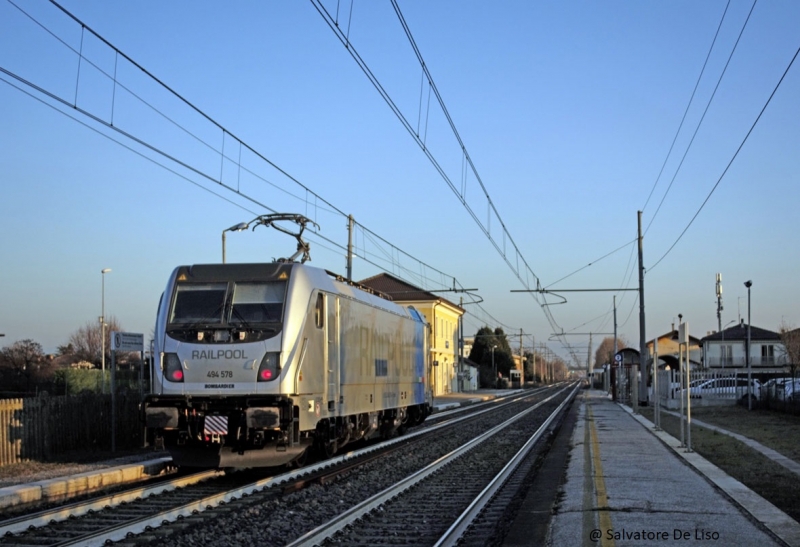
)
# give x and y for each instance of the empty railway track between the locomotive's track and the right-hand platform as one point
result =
(447, 500)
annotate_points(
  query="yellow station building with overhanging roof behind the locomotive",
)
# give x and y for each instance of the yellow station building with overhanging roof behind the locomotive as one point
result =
(442, 315)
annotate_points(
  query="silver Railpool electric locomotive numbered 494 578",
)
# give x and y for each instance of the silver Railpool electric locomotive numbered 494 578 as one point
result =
(255, 364)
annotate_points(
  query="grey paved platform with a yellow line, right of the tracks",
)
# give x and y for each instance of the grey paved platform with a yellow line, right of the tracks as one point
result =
(628, 484)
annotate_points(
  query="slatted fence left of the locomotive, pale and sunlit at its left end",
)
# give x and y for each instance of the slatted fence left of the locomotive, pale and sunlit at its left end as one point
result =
(49, 428)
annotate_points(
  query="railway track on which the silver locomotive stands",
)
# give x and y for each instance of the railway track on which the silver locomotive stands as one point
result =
(141, 516)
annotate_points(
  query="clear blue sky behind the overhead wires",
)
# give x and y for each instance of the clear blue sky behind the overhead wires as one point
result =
(567, 109)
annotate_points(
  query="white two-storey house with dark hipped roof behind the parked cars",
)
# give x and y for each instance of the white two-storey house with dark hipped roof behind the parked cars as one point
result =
(726, 349)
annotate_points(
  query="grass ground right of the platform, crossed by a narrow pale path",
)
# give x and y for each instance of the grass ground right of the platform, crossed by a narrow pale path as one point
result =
(768, 479)
